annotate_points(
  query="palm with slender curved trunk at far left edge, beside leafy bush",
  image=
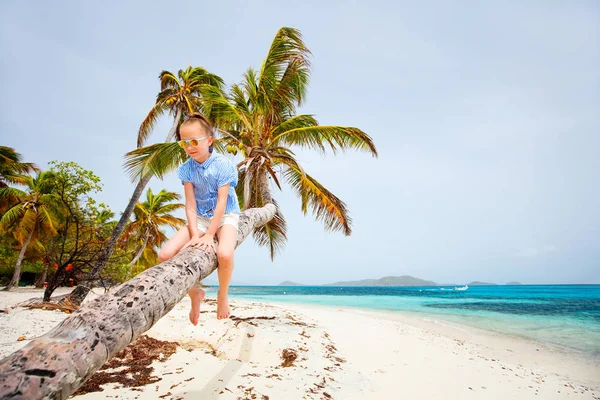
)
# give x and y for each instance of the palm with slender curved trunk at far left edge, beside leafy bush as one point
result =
(36, 209)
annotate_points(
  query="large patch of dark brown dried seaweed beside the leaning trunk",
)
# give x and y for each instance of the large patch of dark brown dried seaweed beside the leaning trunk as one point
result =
(131, 367)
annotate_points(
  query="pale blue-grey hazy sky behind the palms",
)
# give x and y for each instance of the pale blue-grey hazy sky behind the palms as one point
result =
(485, 116)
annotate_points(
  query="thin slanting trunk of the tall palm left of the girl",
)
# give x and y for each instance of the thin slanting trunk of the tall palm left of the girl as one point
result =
(76, 297)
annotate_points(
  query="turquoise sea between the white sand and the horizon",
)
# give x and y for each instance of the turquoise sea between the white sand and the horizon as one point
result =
(562, 315)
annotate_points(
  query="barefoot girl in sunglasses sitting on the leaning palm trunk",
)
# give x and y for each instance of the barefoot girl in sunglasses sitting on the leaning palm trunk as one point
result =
(211, 205)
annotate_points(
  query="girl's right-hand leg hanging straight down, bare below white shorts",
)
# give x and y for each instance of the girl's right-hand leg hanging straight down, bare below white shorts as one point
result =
(227, 236)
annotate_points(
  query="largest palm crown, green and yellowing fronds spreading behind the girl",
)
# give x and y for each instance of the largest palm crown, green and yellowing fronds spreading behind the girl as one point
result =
(258, 118)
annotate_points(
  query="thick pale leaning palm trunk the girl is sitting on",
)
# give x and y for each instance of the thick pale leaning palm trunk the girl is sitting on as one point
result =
(57, 364)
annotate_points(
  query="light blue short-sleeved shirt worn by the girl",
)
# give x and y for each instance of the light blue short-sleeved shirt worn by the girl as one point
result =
(207, 177)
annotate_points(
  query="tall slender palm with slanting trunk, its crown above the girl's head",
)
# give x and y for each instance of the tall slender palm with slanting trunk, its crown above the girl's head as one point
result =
(179, 96)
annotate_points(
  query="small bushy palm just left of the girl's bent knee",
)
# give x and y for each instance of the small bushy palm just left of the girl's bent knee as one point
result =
(150, 217)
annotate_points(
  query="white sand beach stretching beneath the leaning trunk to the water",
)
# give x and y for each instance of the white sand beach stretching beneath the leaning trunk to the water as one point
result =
(332, 353)
